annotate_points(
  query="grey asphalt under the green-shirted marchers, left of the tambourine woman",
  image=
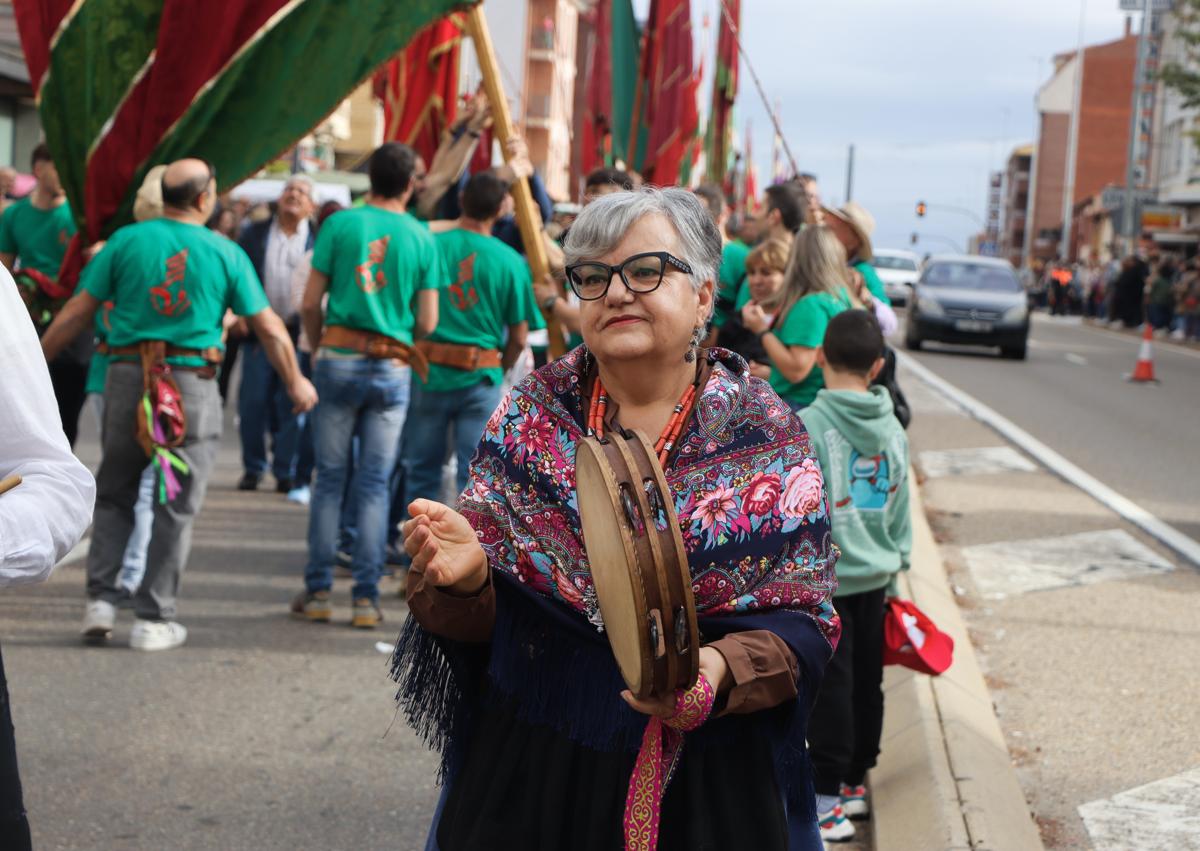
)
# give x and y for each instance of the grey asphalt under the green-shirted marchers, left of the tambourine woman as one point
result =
(262, 733)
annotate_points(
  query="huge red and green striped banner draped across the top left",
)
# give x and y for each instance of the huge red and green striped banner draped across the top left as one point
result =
(123, 86)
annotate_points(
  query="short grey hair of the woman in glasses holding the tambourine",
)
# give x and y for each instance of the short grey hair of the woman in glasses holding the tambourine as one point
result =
(607, 220)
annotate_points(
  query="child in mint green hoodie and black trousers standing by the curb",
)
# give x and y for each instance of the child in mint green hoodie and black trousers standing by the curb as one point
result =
(865, 457)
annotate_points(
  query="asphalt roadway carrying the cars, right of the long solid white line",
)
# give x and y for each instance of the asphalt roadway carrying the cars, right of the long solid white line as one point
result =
(1072, 395)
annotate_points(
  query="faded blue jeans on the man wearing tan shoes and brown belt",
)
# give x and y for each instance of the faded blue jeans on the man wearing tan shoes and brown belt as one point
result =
(373, 398)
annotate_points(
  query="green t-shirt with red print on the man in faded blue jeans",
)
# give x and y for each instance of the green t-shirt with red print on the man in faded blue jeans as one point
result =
(376, 261)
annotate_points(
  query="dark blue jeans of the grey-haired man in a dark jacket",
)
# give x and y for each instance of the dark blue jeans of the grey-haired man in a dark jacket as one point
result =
(265, 407)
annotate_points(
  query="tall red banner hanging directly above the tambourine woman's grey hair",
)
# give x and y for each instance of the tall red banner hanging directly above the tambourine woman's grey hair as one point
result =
(664, 83)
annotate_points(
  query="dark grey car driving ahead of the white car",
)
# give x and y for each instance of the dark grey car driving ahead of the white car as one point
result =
(968, 299)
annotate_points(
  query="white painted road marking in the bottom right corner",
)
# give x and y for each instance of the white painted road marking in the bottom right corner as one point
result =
(1165, 814)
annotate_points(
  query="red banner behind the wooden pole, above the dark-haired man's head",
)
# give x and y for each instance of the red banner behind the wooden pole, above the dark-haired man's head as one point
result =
(419, 88)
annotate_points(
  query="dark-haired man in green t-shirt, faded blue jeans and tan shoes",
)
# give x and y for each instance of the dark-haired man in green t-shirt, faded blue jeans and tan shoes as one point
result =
(381, 271)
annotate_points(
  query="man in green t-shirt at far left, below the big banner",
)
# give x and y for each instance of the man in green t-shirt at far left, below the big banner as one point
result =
(34, 237)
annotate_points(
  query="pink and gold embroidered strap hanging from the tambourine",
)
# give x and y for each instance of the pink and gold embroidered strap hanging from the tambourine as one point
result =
(656, 764)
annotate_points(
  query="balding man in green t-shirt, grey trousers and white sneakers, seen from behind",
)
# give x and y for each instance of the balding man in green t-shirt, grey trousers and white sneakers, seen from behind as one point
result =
(171, 280)
